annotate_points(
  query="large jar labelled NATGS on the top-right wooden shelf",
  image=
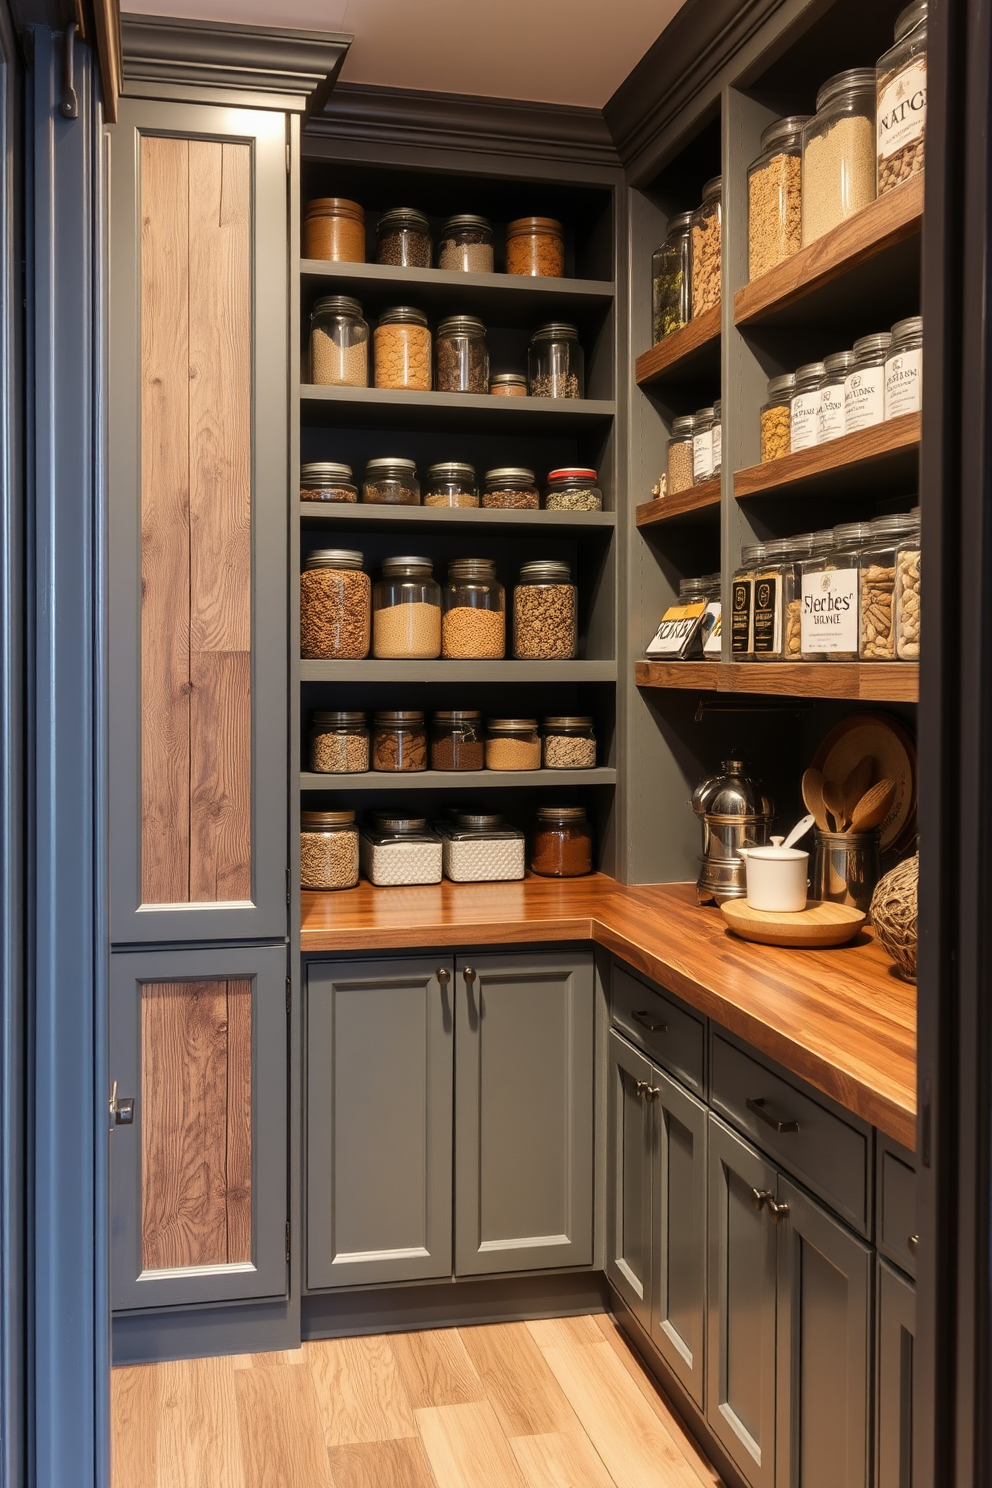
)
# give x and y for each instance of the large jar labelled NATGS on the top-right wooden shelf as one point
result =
(902, 100)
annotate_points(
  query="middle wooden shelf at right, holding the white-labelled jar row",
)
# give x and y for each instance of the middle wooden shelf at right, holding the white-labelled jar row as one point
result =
(874, 462)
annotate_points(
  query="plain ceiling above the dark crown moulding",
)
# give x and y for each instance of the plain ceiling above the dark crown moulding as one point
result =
(545, 51)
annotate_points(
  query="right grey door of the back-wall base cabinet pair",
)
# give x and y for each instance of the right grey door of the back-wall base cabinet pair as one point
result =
(524, 1112)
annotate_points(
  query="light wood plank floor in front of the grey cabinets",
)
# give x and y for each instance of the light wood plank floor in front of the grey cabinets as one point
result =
(558, 1404)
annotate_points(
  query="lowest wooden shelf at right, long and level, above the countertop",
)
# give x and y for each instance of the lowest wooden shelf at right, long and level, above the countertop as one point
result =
(859, 682)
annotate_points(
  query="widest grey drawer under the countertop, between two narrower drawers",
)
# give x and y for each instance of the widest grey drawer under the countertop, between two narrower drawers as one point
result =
(828, 1154)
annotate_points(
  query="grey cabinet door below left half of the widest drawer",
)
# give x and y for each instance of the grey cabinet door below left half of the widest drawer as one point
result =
(741, 1306)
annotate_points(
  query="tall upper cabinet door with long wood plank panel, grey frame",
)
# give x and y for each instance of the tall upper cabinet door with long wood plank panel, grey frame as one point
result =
(199, 423)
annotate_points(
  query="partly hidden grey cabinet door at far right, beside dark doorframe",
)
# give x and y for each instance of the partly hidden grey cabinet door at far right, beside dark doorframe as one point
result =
(896, 1312)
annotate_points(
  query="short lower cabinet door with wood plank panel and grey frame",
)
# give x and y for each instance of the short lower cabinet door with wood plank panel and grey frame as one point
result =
(200, 1175)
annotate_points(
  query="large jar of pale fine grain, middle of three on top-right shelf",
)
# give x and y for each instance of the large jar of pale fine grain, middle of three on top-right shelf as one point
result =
(840, 153)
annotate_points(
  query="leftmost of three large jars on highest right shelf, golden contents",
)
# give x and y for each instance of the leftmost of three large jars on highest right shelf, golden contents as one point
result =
(776, 197)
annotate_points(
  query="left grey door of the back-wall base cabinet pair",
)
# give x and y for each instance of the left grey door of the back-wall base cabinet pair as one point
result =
(379, 1121)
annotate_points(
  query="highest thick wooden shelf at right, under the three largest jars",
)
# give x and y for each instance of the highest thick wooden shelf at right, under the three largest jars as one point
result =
(884, 224)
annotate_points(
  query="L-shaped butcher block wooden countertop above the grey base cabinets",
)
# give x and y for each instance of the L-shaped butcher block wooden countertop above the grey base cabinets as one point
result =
(838, 1019)
